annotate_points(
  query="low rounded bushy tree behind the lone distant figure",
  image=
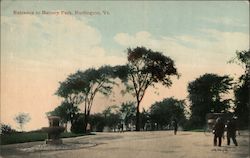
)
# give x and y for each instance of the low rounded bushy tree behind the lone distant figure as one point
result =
(165, 111)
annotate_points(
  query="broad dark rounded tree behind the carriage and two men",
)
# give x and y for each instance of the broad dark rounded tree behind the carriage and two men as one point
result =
(206, 96)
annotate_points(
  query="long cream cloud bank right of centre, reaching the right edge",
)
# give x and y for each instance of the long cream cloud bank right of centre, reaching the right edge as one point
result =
(212, 46)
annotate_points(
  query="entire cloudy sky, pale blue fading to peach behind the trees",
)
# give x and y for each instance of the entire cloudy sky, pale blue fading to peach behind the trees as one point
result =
(42, 42)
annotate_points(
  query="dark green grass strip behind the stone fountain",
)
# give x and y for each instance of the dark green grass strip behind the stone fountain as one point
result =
(30, 137)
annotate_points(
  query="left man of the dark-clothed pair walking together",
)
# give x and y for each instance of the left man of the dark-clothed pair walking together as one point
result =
(218, 131)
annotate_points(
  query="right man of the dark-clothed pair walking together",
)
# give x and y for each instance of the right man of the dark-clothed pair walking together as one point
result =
(231, 131)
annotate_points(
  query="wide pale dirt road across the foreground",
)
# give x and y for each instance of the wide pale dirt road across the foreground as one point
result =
(159, 144)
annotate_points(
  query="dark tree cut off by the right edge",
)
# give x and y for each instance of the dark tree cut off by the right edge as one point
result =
(241, 90)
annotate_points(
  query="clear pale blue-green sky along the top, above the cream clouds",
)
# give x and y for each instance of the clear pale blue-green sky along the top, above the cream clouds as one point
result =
(169, 18)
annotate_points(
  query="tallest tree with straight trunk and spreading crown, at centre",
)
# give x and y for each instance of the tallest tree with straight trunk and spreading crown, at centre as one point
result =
(145, 68)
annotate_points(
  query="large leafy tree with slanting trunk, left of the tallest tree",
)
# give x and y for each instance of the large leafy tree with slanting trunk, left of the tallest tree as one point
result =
(83, 86)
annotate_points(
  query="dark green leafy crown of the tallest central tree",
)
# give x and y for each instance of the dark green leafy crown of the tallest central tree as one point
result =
(154, 66)
